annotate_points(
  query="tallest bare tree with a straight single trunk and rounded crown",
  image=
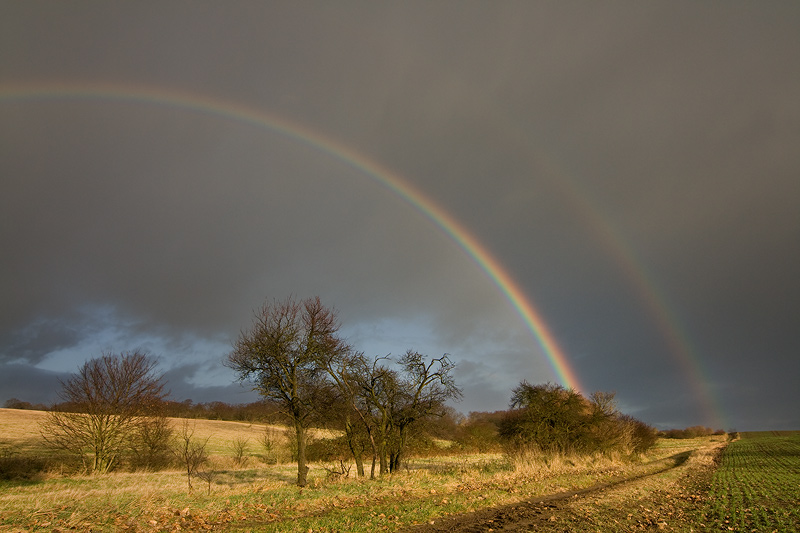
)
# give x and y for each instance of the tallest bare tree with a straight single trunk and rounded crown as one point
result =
(283, 356)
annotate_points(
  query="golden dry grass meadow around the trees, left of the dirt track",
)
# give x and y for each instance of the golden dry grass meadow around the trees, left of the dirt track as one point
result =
(263, 498)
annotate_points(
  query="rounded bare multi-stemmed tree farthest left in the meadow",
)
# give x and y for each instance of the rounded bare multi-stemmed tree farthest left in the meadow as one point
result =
(110, 399)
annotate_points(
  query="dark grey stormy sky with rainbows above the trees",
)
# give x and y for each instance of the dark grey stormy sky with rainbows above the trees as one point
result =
(602, 195)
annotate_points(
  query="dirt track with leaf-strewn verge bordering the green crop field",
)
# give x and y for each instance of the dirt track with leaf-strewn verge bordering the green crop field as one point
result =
(665, 500)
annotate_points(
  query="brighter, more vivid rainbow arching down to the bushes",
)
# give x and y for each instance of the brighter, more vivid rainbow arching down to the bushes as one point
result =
(293, 130)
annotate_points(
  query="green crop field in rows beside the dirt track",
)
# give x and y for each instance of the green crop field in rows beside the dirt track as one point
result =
(757, 484)
